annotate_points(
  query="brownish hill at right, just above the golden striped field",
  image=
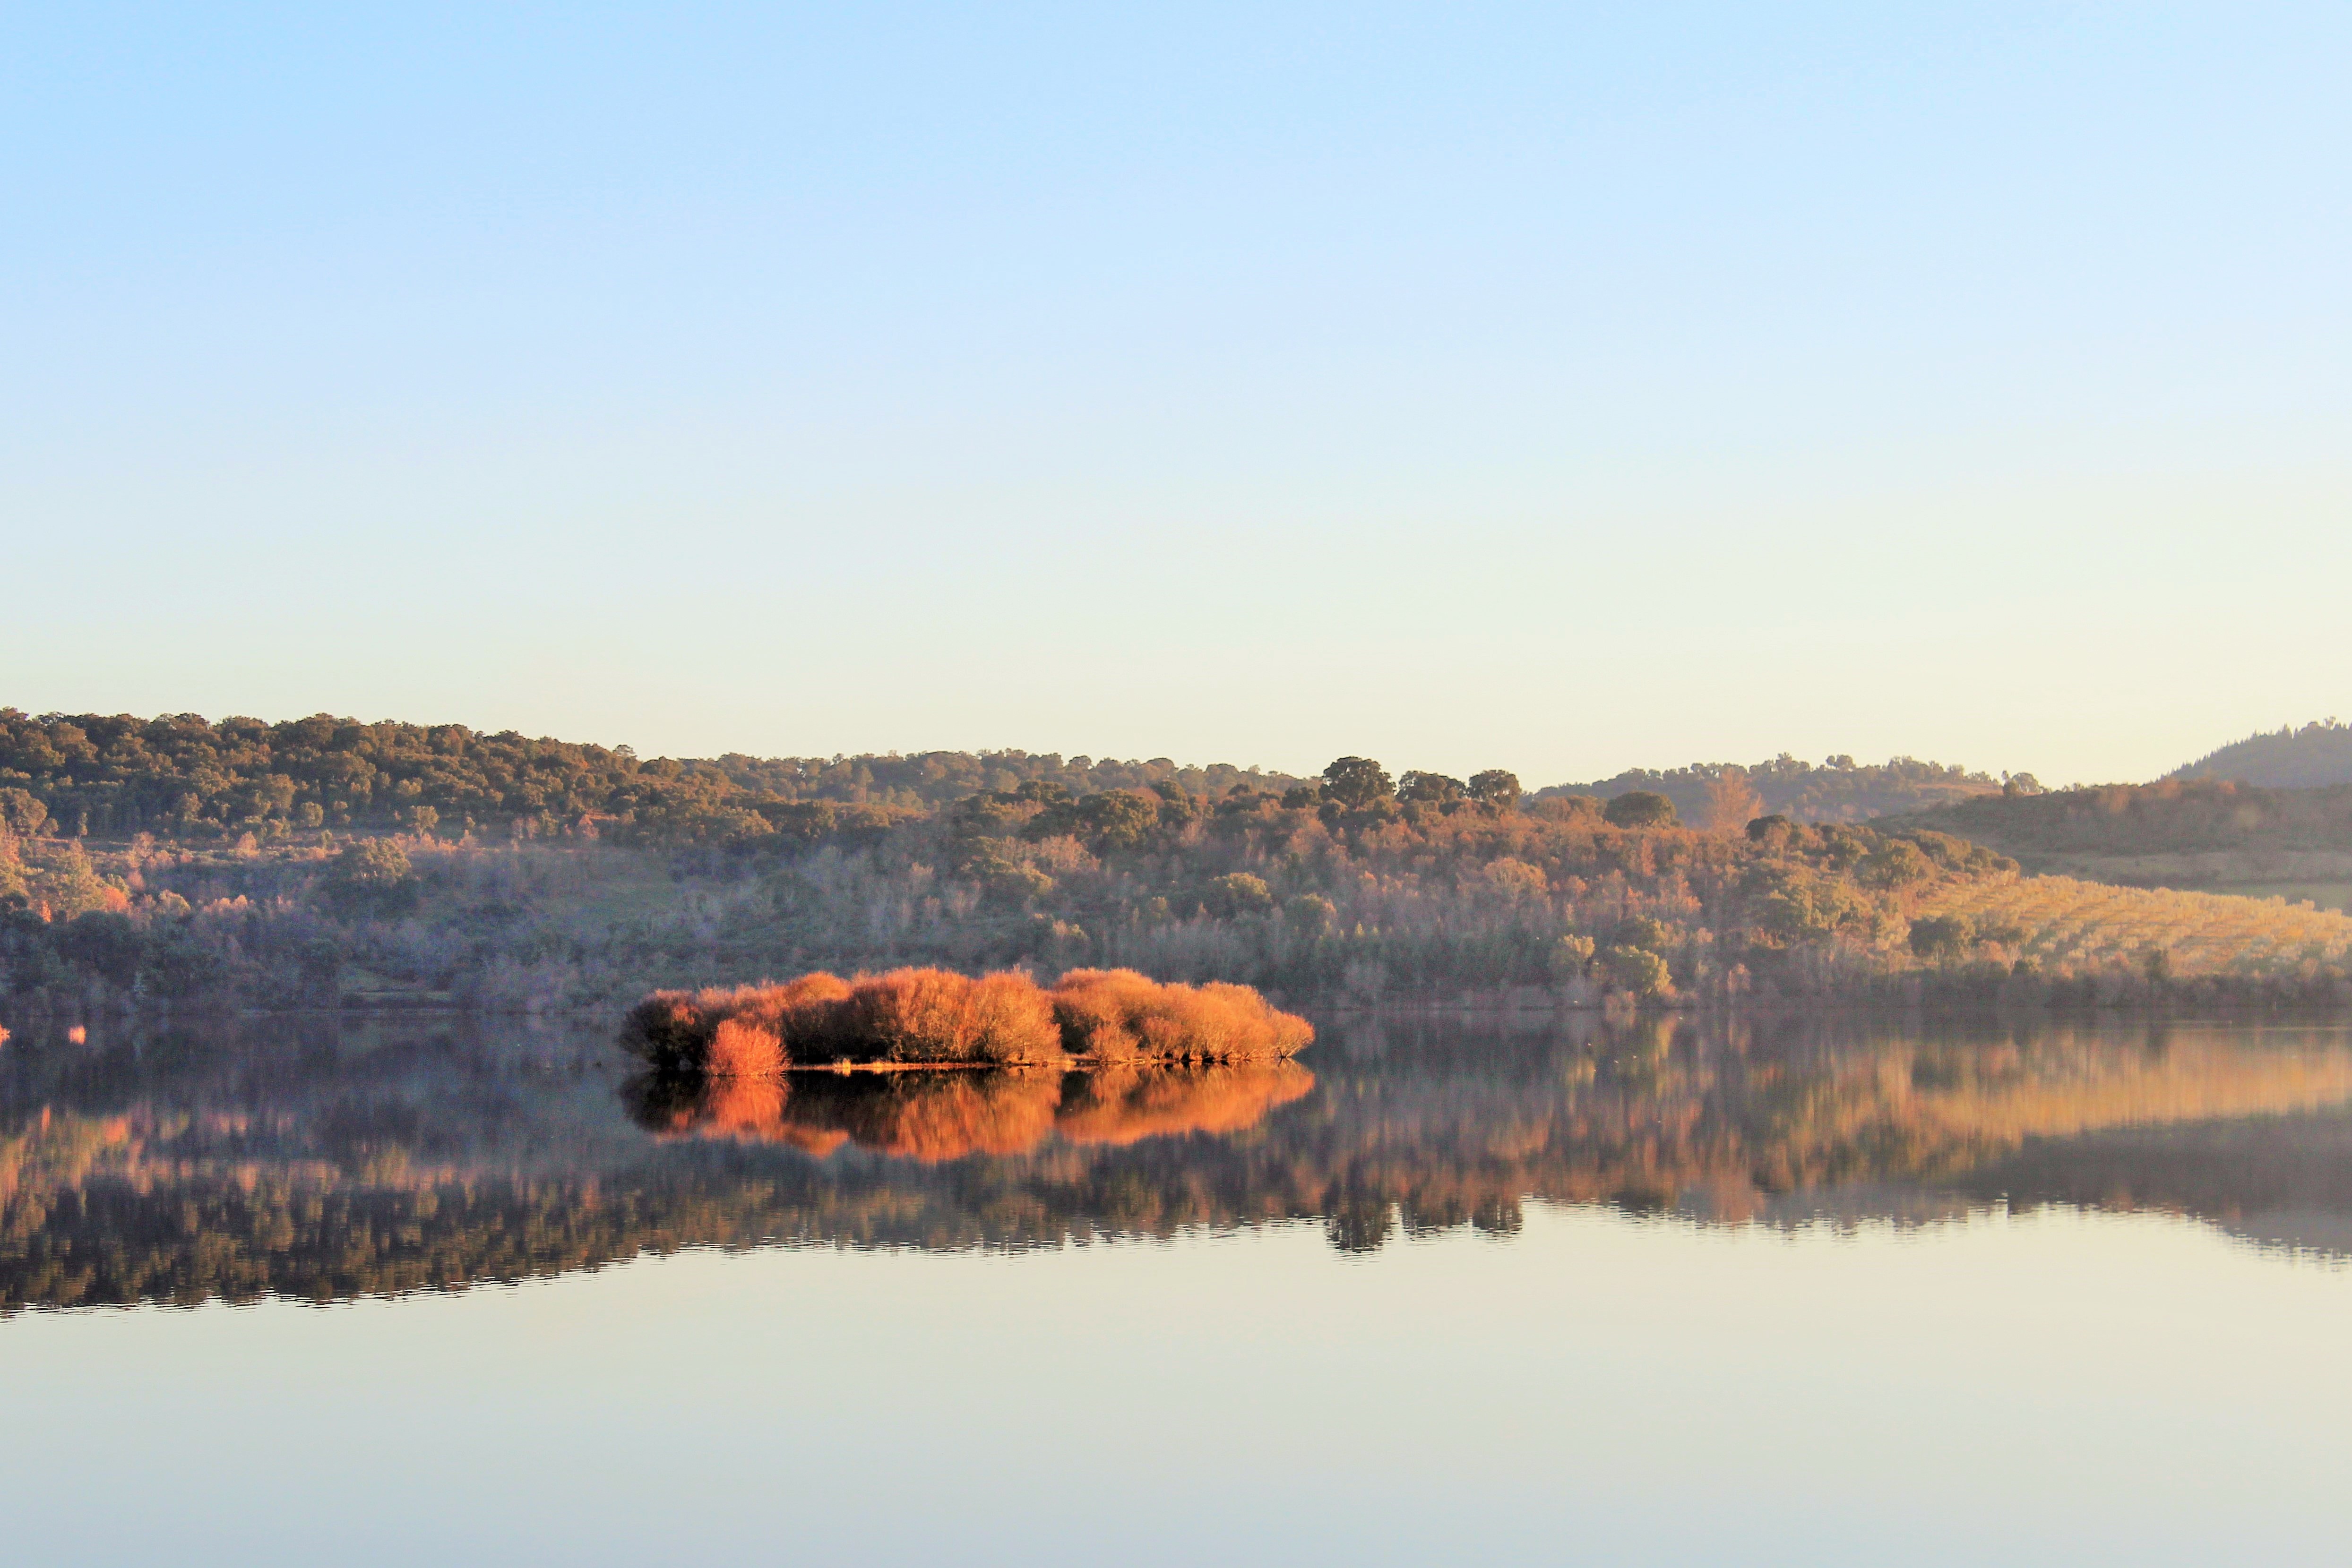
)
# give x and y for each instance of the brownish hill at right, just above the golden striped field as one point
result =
(2212, 836)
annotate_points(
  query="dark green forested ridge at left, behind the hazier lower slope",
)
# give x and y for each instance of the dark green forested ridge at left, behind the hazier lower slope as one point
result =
(114, 777)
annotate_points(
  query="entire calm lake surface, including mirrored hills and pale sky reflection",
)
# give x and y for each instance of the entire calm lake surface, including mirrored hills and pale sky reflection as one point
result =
(1869, 1292)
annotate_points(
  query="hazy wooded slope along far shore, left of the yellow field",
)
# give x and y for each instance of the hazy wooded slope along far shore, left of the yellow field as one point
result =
(1358, 883)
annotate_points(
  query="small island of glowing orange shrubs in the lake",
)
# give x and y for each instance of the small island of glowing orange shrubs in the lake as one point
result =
(937, 1017)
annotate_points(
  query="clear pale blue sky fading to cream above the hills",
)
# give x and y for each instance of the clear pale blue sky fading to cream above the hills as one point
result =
(1558, 389)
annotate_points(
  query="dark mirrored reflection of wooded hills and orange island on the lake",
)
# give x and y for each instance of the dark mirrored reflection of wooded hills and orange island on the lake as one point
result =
(330, 1158)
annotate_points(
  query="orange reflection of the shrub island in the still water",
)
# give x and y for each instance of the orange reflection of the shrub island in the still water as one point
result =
(954, 1115)
